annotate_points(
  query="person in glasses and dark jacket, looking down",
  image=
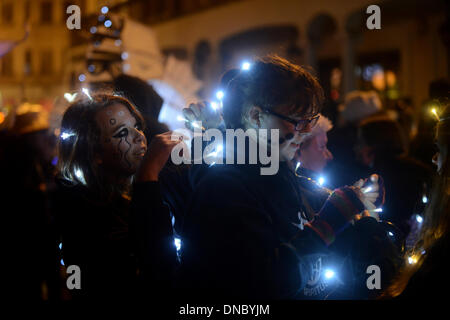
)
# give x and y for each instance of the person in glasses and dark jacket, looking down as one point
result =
(243, 234)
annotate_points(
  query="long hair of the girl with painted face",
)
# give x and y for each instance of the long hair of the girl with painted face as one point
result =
(80, 141)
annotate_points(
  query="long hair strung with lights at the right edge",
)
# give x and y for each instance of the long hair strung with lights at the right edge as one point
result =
(436, 224)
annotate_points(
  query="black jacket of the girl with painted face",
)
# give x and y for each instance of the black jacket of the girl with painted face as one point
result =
(123, 249)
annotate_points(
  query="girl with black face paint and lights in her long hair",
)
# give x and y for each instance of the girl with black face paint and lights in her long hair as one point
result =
(112, 219)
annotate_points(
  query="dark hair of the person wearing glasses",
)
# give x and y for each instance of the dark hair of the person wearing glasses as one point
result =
(270, 83)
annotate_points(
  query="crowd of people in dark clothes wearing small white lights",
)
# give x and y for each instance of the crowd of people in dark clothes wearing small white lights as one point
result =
(349, 194)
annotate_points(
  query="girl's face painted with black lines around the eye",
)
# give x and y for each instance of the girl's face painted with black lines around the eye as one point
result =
(122, 143)
